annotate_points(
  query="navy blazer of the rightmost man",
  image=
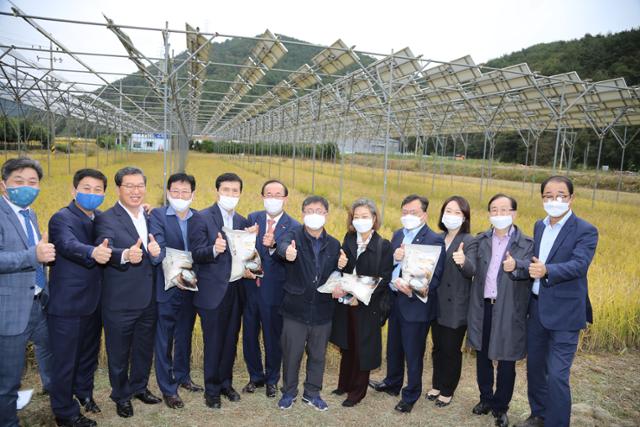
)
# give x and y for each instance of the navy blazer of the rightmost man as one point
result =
(563, 302)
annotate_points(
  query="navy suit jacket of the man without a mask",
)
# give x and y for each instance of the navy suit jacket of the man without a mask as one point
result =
(124, 286)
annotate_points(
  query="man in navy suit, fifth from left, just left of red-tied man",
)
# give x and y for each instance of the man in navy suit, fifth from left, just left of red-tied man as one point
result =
(218, 300)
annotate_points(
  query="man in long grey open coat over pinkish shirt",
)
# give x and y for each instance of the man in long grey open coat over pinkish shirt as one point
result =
(498, 307)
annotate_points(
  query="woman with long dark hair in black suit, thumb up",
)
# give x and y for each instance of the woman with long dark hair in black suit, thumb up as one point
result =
(453, 299)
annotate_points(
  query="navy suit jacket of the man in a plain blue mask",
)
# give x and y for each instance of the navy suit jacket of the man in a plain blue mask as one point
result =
(75, 279)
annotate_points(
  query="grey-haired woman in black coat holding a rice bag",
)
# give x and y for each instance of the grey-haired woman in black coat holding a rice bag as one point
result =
(357, 327)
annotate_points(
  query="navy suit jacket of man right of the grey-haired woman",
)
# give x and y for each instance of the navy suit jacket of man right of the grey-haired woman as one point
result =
(412, 309)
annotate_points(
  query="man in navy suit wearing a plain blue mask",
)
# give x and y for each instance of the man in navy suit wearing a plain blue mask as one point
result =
(73, 311)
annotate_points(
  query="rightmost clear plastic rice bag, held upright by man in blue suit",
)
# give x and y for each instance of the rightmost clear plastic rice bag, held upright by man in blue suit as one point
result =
(418, 265)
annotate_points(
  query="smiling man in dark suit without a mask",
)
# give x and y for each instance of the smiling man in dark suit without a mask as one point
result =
(128, 300)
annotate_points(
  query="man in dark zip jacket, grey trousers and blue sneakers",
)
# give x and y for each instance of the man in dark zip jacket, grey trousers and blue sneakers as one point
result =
(311, 255)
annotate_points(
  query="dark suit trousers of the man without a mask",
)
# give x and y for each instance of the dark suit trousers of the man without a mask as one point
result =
(129, 336)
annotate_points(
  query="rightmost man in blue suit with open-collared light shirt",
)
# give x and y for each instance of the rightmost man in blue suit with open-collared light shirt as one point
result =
(559, 307)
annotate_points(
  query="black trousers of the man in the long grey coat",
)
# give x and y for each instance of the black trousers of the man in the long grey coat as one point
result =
(506, 377)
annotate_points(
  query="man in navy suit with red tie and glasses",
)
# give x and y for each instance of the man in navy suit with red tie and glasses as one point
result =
(264, 295)
